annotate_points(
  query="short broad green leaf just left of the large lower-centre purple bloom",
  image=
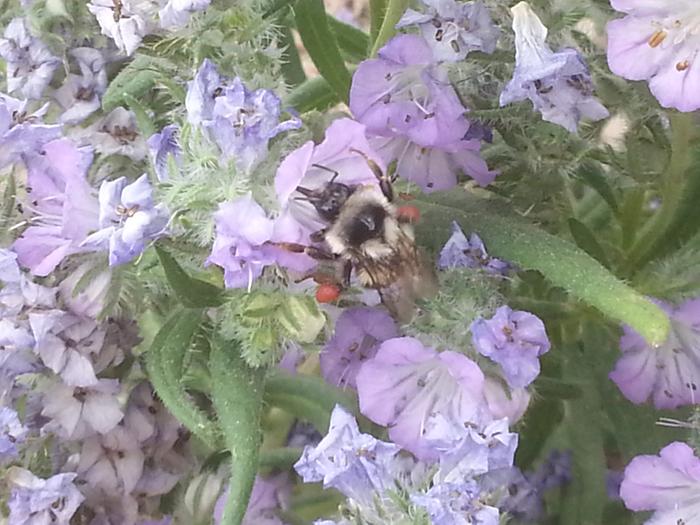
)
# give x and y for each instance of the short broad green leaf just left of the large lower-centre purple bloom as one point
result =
(308, 397)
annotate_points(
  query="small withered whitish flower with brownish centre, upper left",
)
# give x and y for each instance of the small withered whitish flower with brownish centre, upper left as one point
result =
(116, 134)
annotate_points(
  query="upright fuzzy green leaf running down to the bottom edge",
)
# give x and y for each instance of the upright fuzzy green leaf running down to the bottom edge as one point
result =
(237, 393)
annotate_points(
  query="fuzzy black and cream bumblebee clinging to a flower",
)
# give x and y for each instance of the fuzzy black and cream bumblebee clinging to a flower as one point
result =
(367, 233)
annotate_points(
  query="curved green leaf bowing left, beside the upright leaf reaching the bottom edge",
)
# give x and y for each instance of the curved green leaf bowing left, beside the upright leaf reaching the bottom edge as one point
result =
(164, 364)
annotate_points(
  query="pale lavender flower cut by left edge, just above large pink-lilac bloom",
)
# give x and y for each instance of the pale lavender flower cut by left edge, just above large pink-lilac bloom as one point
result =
(21, 131)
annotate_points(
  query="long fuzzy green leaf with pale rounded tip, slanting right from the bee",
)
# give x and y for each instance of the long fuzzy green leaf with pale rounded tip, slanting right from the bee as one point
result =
(561, 262)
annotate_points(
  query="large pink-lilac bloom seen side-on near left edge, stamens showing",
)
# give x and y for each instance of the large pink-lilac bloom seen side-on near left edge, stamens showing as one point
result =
(62, 206)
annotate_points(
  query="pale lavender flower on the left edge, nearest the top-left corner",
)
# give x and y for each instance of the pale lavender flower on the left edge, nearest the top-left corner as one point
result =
(30, 65)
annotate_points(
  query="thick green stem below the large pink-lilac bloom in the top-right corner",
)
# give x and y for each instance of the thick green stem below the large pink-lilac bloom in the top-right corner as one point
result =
(659, 225)
